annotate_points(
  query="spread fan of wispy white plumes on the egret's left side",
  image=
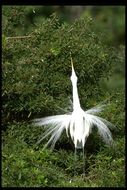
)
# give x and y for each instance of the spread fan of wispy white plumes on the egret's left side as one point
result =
(56, 125)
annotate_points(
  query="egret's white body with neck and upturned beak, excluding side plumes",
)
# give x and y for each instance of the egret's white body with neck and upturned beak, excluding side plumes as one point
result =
(77, 130)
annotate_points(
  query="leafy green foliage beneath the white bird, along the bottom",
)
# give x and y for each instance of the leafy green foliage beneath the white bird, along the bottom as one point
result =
(25, 165)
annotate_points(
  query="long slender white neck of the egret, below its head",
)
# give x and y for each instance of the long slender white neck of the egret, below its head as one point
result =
(76, 102)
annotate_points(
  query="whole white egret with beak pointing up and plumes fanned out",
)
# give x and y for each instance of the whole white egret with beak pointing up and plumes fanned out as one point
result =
(78, 123)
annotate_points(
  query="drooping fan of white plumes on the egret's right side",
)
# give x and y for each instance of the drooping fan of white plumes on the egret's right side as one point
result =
(101, 124)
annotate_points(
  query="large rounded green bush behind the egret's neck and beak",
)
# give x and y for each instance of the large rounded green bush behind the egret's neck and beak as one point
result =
(35, 68)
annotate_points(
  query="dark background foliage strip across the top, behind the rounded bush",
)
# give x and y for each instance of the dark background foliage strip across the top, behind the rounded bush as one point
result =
(109, 20)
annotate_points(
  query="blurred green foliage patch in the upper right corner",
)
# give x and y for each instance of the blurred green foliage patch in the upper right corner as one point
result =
(109, 23)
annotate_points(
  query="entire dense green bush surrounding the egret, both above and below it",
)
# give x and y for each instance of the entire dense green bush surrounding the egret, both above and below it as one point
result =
(35, 72)
